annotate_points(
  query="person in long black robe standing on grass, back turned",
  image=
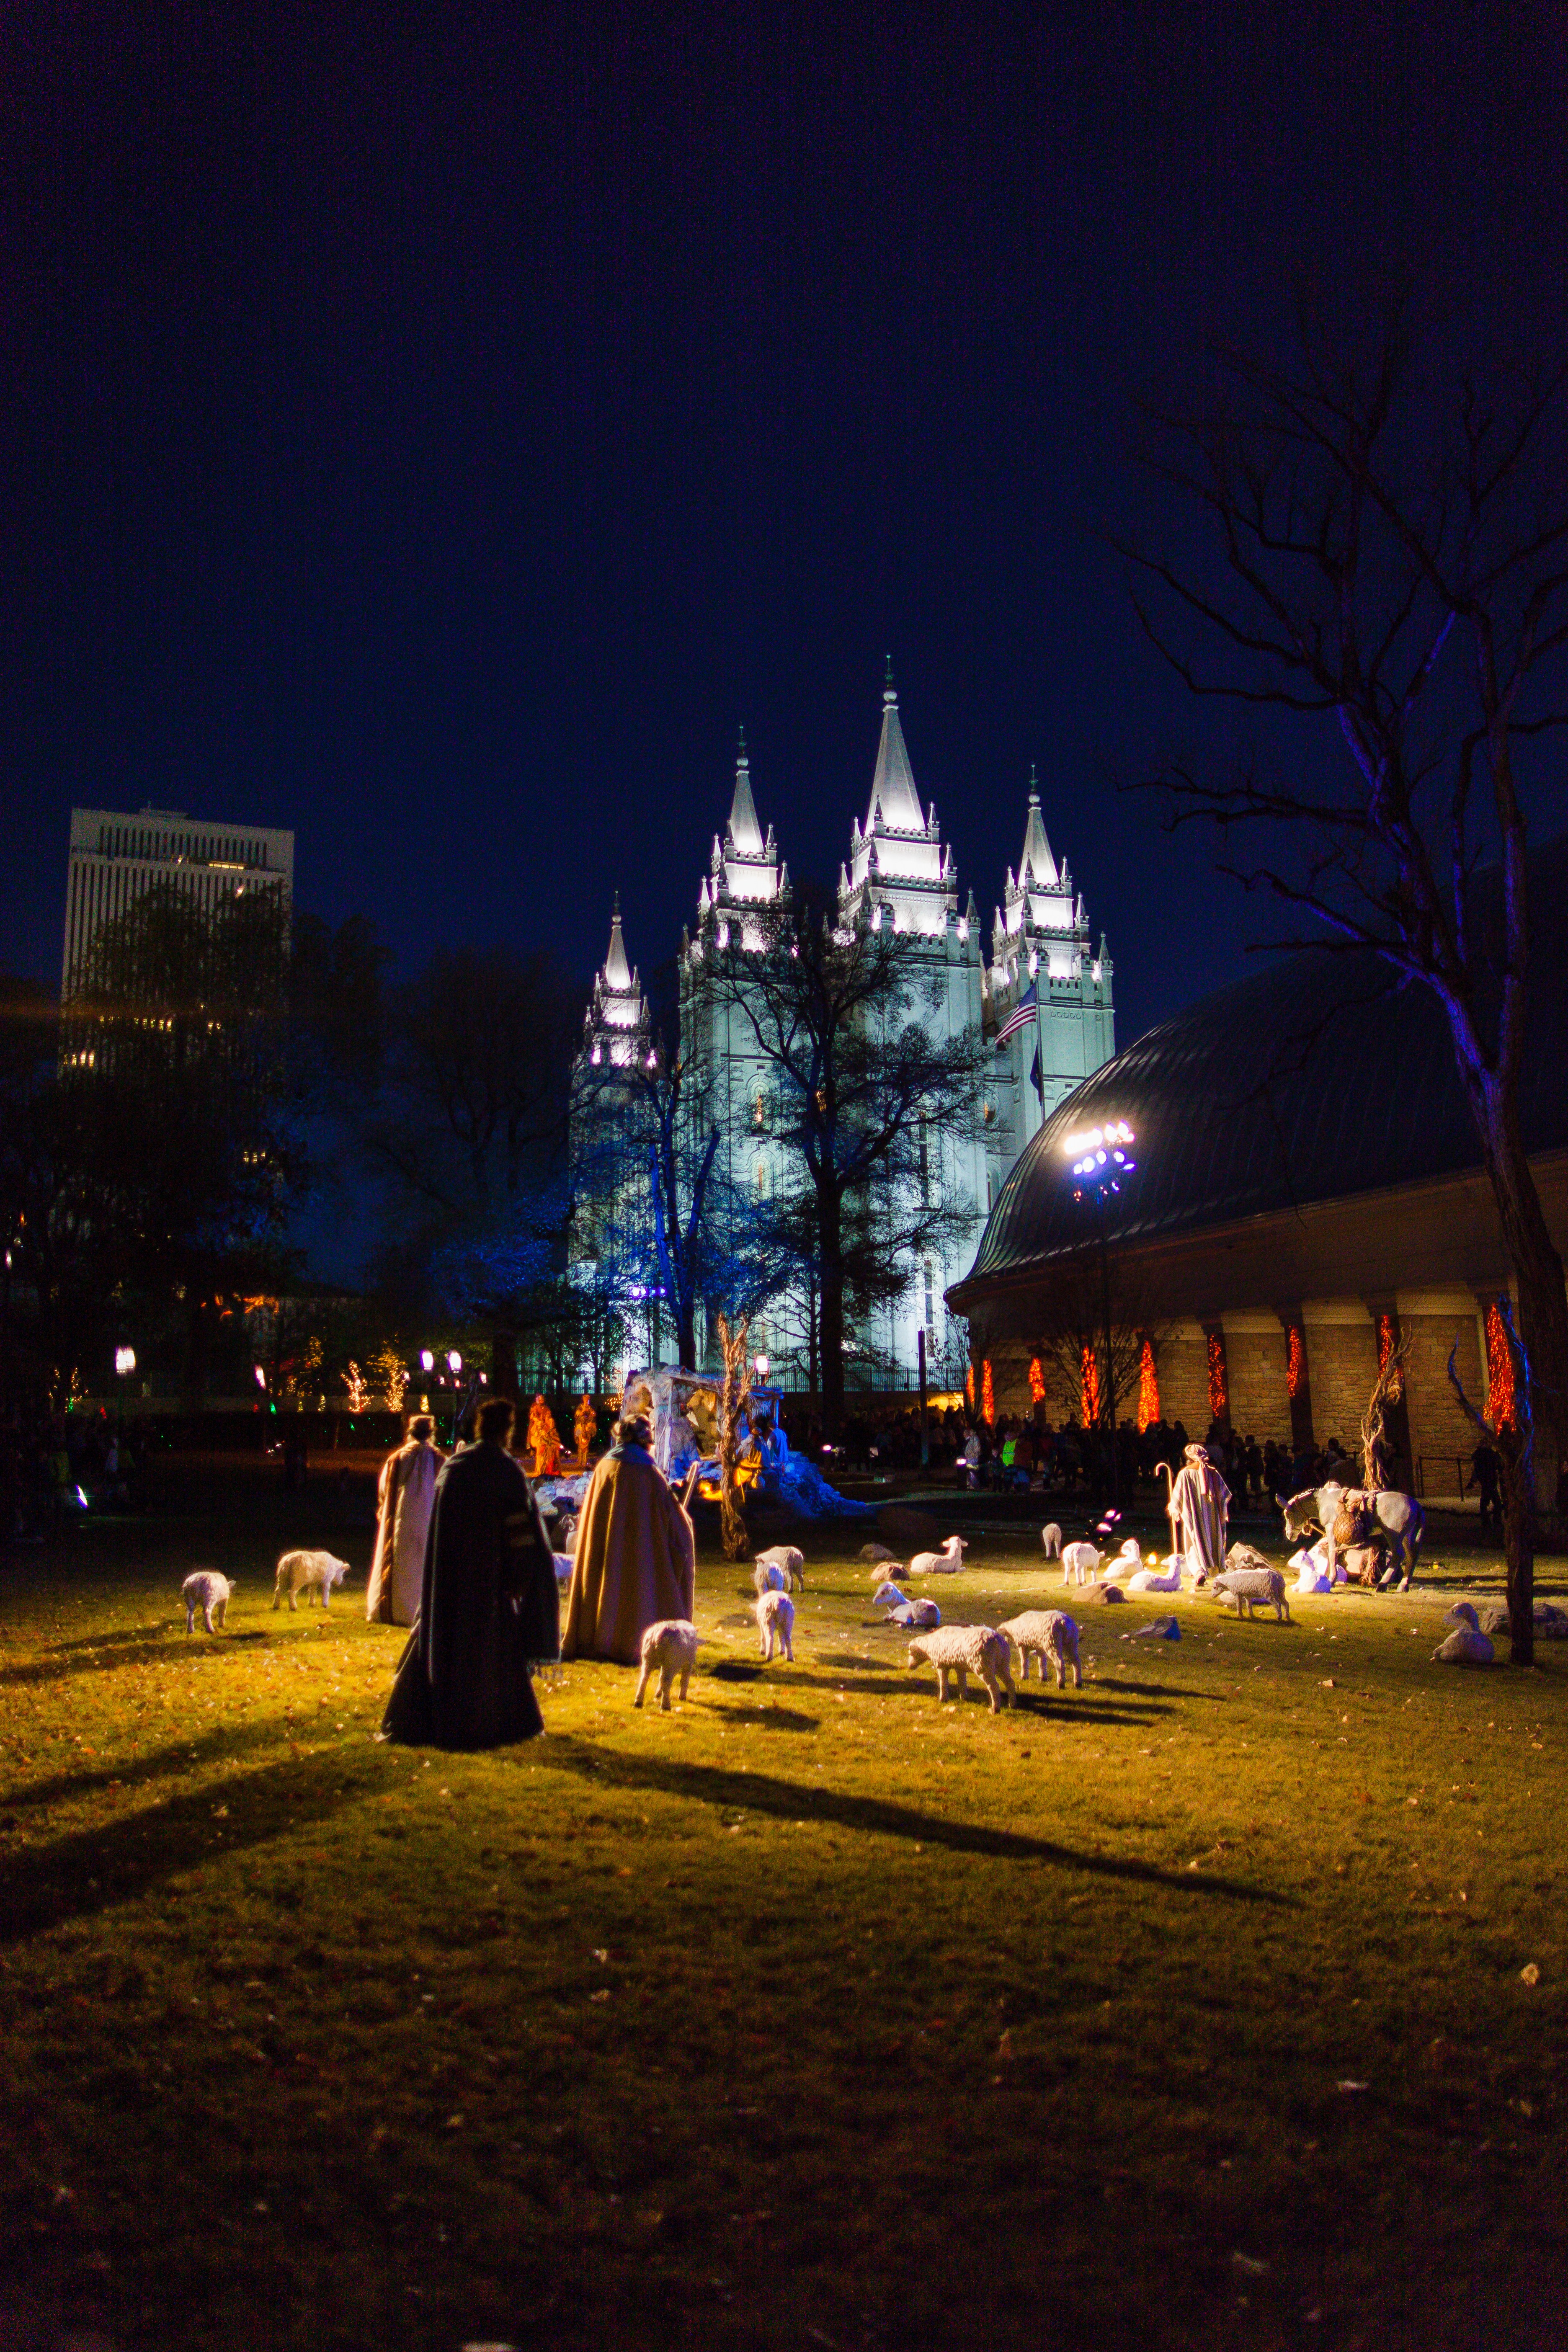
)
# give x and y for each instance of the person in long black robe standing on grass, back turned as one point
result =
(490, 1608)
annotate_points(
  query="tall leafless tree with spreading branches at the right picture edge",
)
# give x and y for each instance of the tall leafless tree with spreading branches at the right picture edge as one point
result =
(1395, 563)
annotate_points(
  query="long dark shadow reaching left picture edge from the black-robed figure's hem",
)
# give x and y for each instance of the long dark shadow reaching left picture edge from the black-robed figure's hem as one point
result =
(121, 1862)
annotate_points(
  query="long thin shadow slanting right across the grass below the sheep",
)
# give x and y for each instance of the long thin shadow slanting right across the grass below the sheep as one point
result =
(786, 1800)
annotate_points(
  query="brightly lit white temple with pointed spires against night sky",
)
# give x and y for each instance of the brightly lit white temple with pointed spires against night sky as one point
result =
(1043, 1005)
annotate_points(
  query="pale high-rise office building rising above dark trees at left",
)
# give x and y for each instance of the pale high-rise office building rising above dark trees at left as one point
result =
(116, 860)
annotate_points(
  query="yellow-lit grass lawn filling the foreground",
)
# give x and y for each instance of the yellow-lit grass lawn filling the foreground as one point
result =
(1186, 2010)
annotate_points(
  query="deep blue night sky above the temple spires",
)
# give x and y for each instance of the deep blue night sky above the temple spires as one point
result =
(438, 439)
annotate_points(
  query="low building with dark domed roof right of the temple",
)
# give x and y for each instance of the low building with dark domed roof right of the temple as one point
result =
(1306, 1191)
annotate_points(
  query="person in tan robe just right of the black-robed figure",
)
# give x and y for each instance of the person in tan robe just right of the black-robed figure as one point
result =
(636, 1553)
